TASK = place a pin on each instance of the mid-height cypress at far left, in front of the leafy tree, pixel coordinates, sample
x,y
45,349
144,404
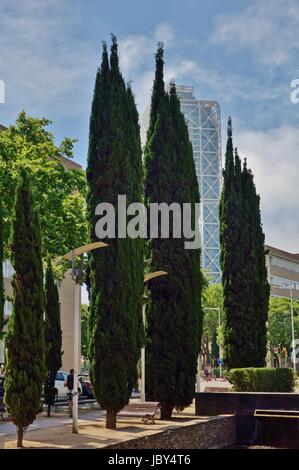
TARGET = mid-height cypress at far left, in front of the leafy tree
x,y
25,337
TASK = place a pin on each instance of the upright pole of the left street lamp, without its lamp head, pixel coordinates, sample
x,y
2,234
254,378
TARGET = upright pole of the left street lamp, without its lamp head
x,y
77,302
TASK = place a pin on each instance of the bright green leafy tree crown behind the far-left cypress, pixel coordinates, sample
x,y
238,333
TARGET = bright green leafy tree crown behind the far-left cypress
x,y
59,193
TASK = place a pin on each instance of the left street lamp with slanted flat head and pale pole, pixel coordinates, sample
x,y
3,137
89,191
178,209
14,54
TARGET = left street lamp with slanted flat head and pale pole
x,y
71,256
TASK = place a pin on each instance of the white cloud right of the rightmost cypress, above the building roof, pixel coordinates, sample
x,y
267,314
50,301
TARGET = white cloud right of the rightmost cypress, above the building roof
x,y
273,157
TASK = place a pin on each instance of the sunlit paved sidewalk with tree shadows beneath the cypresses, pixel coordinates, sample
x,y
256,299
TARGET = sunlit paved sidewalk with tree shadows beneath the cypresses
x,y
56,432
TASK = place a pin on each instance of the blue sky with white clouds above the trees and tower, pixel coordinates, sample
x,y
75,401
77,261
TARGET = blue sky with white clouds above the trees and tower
x,y
242,53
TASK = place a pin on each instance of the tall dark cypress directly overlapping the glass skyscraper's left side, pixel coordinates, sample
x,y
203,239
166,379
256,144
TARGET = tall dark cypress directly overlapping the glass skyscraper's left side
x,y
174,313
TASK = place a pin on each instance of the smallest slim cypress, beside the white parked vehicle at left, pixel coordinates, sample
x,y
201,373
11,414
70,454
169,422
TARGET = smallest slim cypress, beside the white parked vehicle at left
x,y
53,337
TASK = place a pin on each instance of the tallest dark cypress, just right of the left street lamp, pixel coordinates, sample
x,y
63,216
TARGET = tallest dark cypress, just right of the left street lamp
x,y
116,273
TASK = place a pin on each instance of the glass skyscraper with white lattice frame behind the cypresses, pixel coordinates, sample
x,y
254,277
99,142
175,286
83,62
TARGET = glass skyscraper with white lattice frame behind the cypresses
x,y
204,125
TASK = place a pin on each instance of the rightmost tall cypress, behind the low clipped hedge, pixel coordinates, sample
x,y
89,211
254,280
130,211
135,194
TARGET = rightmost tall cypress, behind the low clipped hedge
x,y
244,275
